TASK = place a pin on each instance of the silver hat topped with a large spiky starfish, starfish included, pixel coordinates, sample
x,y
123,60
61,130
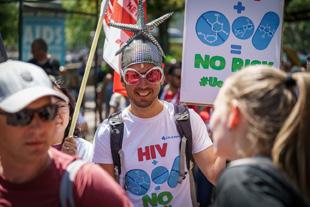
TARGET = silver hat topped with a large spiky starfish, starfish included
x,y
142,47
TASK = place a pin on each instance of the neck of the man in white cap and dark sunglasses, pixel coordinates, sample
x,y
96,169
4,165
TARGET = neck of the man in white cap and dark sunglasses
x,y
20,172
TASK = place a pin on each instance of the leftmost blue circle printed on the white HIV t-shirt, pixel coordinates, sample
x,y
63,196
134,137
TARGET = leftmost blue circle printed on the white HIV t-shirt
x,y
137,182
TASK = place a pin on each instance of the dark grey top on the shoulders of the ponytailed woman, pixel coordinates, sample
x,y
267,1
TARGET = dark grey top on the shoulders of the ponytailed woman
x,y
255,185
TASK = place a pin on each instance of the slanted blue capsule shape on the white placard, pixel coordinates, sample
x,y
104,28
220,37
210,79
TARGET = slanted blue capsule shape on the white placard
x,y
266,30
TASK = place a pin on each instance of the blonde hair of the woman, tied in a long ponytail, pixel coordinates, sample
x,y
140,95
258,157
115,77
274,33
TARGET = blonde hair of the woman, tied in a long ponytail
x,y
277,109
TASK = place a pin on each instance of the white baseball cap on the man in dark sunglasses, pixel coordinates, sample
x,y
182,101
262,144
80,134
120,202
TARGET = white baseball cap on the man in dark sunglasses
x,y
22,83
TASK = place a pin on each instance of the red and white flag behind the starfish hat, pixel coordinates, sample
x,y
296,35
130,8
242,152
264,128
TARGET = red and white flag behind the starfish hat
x,y
119,11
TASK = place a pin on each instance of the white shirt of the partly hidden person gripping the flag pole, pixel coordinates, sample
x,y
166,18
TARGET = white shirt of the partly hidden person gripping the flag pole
x,y
84,149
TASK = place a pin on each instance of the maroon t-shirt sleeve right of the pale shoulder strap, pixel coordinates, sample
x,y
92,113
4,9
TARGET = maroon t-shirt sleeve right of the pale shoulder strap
x,y
94,187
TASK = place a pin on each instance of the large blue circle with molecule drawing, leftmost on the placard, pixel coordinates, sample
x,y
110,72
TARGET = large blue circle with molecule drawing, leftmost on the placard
x,y
212,28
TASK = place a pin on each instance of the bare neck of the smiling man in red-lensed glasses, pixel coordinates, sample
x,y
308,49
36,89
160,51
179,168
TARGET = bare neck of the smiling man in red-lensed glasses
x,y
147,112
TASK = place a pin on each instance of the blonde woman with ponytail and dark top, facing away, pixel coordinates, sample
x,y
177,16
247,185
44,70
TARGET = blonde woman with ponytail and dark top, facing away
x,y
261,120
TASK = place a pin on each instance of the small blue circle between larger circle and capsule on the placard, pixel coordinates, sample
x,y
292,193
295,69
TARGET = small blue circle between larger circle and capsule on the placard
x,y
243,28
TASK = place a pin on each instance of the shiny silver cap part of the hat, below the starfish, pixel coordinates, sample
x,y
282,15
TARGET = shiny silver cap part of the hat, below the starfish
x,y
141,51
